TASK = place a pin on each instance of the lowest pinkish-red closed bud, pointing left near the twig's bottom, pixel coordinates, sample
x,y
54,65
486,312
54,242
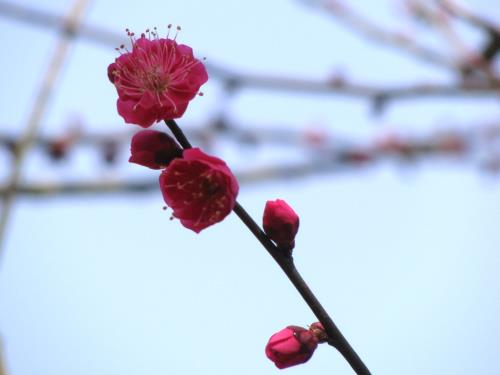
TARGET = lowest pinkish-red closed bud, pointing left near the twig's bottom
x,y
291,346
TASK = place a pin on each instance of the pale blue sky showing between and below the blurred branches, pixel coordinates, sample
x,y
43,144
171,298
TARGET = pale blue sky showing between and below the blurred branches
x,y
406,261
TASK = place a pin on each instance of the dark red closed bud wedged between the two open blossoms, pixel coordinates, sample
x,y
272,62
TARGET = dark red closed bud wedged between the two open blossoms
x,y
153,149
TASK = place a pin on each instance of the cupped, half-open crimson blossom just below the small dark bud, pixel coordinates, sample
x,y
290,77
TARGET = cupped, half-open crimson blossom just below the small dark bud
x,y
199,188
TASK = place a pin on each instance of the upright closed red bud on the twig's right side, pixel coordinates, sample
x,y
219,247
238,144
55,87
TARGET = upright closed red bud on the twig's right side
x,y
281,223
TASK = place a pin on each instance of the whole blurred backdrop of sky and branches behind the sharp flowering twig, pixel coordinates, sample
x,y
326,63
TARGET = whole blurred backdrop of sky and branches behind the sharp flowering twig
x,y
398,196
